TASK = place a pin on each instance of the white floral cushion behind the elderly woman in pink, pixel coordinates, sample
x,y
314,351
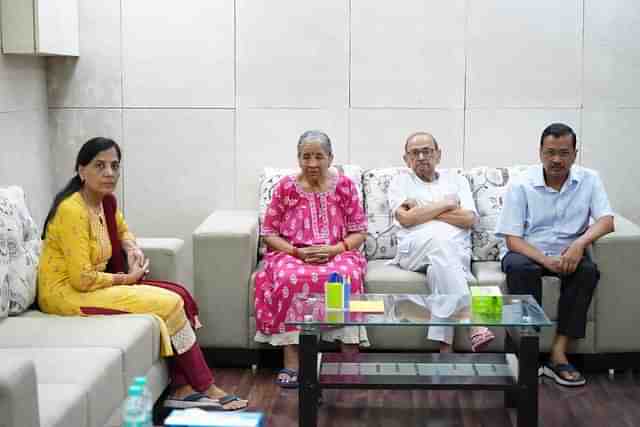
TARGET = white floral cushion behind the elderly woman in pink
x,y
271,176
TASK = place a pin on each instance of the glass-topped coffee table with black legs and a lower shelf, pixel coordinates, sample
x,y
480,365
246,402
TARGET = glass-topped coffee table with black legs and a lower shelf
x,y
515,372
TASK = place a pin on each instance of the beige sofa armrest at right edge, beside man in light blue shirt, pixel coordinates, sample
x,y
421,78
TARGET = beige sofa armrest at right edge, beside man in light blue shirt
x,y
618,293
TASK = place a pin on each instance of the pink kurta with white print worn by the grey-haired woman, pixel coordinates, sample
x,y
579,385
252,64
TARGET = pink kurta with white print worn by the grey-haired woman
x,y
305,219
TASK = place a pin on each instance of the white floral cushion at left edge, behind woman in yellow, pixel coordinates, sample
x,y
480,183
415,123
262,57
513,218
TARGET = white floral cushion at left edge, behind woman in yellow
x,y
19,253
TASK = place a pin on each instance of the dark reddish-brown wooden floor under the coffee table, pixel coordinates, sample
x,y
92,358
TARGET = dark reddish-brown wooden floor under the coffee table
x,y
604,401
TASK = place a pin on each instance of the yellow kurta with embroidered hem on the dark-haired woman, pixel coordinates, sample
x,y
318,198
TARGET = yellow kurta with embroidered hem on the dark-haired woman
x,y
72,275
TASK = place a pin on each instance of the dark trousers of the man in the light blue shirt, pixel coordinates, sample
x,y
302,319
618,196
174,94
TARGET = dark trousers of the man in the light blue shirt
x,y
524,276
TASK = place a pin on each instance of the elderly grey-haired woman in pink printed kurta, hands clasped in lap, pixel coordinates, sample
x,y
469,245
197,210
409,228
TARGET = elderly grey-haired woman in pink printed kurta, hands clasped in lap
x,y
313,226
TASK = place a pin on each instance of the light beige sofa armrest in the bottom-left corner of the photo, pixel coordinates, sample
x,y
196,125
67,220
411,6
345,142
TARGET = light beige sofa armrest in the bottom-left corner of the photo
x,y
18,393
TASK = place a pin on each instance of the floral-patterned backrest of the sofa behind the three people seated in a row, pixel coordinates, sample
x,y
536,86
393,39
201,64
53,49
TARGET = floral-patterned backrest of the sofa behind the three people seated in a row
x,y
487,184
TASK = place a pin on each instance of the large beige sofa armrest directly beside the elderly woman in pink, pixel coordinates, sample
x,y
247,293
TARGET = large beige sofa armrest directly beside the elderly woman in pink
x,y
225,248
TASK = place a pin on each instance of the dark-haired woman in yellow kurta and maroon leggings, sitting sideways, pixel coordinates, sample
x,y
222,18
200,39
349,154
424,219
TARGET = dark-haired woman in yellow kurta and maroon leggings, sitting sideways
x,y
74,279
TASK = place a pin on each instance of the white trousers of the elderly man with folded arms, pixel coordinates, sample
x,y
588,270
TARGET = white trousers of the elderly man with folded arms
x,y
447,267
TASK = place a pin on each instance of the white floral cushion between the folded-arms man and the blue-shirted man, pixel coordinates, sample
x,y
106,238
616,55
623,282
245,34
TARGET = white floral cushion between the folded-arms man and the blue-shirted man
x,y
488,186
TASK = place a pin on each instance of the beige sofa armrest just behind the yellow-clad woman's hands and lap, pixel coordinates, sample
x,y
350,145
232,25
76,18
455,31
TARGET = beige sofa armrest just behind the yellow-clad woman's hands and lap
x,y
163,257
